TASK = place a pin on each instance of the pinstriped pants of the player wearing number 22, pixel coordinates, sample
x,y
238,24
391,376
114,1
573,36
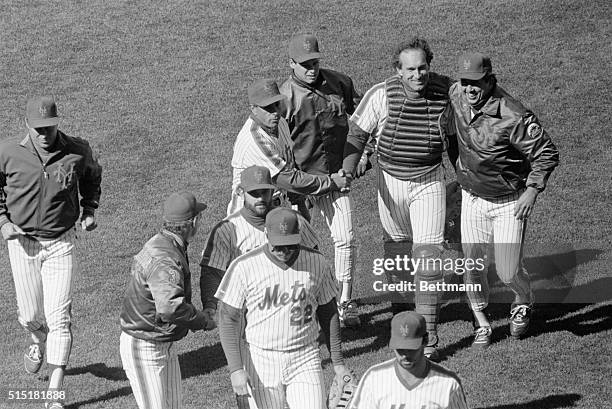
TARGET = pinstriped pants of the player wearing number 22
x,y
286,378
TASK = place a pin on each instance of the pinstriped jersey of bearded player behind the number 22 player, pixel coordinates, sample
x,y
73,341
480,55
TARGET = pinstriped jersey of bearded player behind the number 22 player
x,y
235,236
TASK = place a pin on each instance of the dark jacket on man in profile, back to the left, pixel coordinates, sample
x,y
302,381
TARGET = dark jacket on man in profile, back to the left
x,y
157,303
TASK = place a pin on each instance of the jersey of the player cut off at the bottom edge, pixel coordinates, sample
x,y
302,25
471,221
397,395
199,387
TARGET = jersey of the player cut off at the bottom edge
x,y
381,388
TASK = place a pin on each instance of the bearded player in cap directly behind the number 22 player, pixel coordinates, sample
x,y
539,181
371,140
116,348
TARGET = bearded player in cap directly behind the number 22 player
x,y
241,232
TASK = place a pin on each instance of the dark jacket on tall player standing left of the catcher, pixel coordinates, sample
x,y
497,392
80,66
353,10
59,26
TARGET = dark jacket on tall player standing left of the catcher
x,y
318,118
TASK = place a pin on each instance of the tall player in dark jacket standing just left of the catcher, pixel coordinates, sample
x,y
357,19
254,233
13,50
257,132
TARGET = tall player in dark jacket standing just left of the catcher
x,y
318,104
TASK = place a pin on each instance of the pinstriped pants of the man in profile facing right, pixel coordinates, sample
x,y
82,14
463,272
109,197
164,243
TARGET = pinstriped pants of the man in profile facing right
x,y
153,370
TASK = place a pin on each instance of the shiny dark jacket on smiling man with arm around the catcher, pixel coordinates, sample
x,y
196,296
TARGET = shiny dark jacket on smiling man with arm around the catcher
x,y
503,148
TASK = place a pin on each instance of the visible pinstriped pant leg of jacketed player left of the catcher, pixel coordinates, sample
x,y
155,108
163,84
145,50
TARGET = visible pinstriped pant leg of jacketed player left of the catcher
x,y
337,209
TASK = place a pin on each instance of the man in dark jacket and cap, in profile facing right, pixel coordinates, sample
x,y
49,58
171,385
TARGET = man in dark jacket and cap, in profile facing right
x,y
157,309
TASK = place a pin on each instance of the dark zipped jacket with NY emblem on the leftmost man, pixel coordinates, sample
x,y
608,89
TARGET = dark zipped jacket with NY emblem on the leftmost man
x,y
43,198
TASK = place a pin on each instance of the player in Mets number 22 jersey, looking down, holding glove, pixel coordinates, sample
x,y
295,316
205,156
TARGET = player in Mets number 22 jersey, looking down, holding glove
x,y
287,289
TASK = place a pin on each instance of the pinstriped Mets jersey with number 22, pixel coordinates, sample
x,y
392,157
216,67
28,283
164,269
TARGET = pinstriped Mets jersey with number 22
x,y
281,300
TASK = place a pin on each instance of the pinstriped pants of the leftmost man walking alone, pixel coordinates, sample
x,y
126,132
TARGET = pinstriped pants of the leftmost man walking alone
x,y
43,270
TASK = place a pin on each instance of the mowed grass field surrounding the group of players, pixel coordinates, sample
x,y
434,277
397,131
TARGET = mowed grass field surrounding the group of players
x,y
159,88
